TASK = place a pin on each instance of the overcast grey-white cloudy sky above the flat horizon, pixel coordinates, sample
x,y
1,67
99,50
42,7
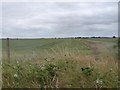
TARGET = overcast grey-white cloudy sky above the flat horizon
x,y
65,19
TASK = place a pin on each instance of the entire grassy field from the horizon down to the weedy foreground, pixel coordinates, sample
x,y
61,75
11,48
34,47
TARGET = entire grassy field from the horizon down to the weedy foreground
x,y
61,63
